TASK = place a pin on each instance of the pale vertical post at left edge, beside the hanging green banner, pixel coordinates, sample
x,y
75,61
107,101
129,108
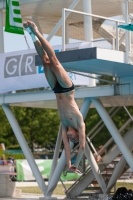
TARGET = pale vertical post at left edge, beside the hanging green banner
x,y
1,33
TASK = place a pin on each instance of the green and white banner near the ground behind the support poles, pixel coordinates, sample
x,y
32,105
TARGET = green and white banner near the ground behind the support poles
x,y
24,172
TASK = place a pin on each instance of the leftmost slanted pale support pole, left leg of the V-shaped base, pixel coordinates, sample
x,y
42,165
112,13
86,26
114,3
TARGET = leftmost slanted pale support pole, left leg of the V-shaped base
x,y
19,135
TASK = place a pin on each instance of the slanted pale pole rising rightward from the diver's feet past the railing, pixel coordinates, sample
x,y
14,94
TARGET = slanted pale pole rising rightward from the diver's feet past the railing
x,y
58,25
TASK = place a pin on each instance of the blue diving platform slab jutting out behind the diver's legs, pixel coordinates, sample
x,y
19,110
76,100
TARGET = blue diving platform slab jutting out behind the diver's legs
x,y
94,60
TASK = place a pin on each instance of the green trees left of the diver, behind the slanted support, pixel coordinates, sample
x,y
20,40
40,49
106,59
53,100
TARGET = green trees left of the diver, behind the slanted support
x,y
39,126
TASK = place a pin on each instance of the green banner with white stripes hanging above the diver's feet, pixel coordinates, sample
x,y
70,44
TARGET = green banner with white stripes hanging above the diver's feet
x,y
13,17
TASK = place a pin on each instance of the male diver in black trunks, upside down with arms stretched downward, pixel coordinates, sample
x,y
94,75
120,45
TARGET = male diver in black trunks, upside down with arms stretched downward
x,y
73,127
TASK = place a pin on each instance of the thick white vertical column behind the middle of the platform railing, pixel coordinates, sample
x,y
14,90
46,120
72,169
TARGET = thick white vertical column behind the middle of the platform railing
x,y
88,29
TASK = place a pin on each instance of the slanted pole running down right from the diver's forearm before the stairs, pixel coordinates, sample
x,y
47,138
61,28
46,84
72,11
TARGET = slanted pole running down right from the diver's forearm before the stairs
x,y
95,168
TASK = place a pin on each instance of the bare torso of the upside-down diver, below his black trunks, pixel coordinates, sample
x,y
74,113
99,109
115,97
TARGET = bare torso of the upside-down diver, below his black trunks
x,y
68,110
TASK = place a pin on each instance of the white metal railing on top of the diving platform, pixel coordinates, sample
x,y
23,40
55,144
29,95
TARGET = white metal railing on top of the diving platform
x,y
117,22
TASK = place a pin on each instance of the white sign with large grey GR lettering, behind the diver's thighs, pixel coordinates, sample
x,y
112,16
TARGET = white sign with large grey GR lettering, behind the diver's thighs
x,y
18,72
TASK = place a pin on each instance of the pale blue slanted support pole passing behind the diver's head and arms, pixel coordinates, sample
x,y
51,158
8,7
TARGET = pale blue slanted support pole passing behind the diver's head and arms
x,y
62,162
